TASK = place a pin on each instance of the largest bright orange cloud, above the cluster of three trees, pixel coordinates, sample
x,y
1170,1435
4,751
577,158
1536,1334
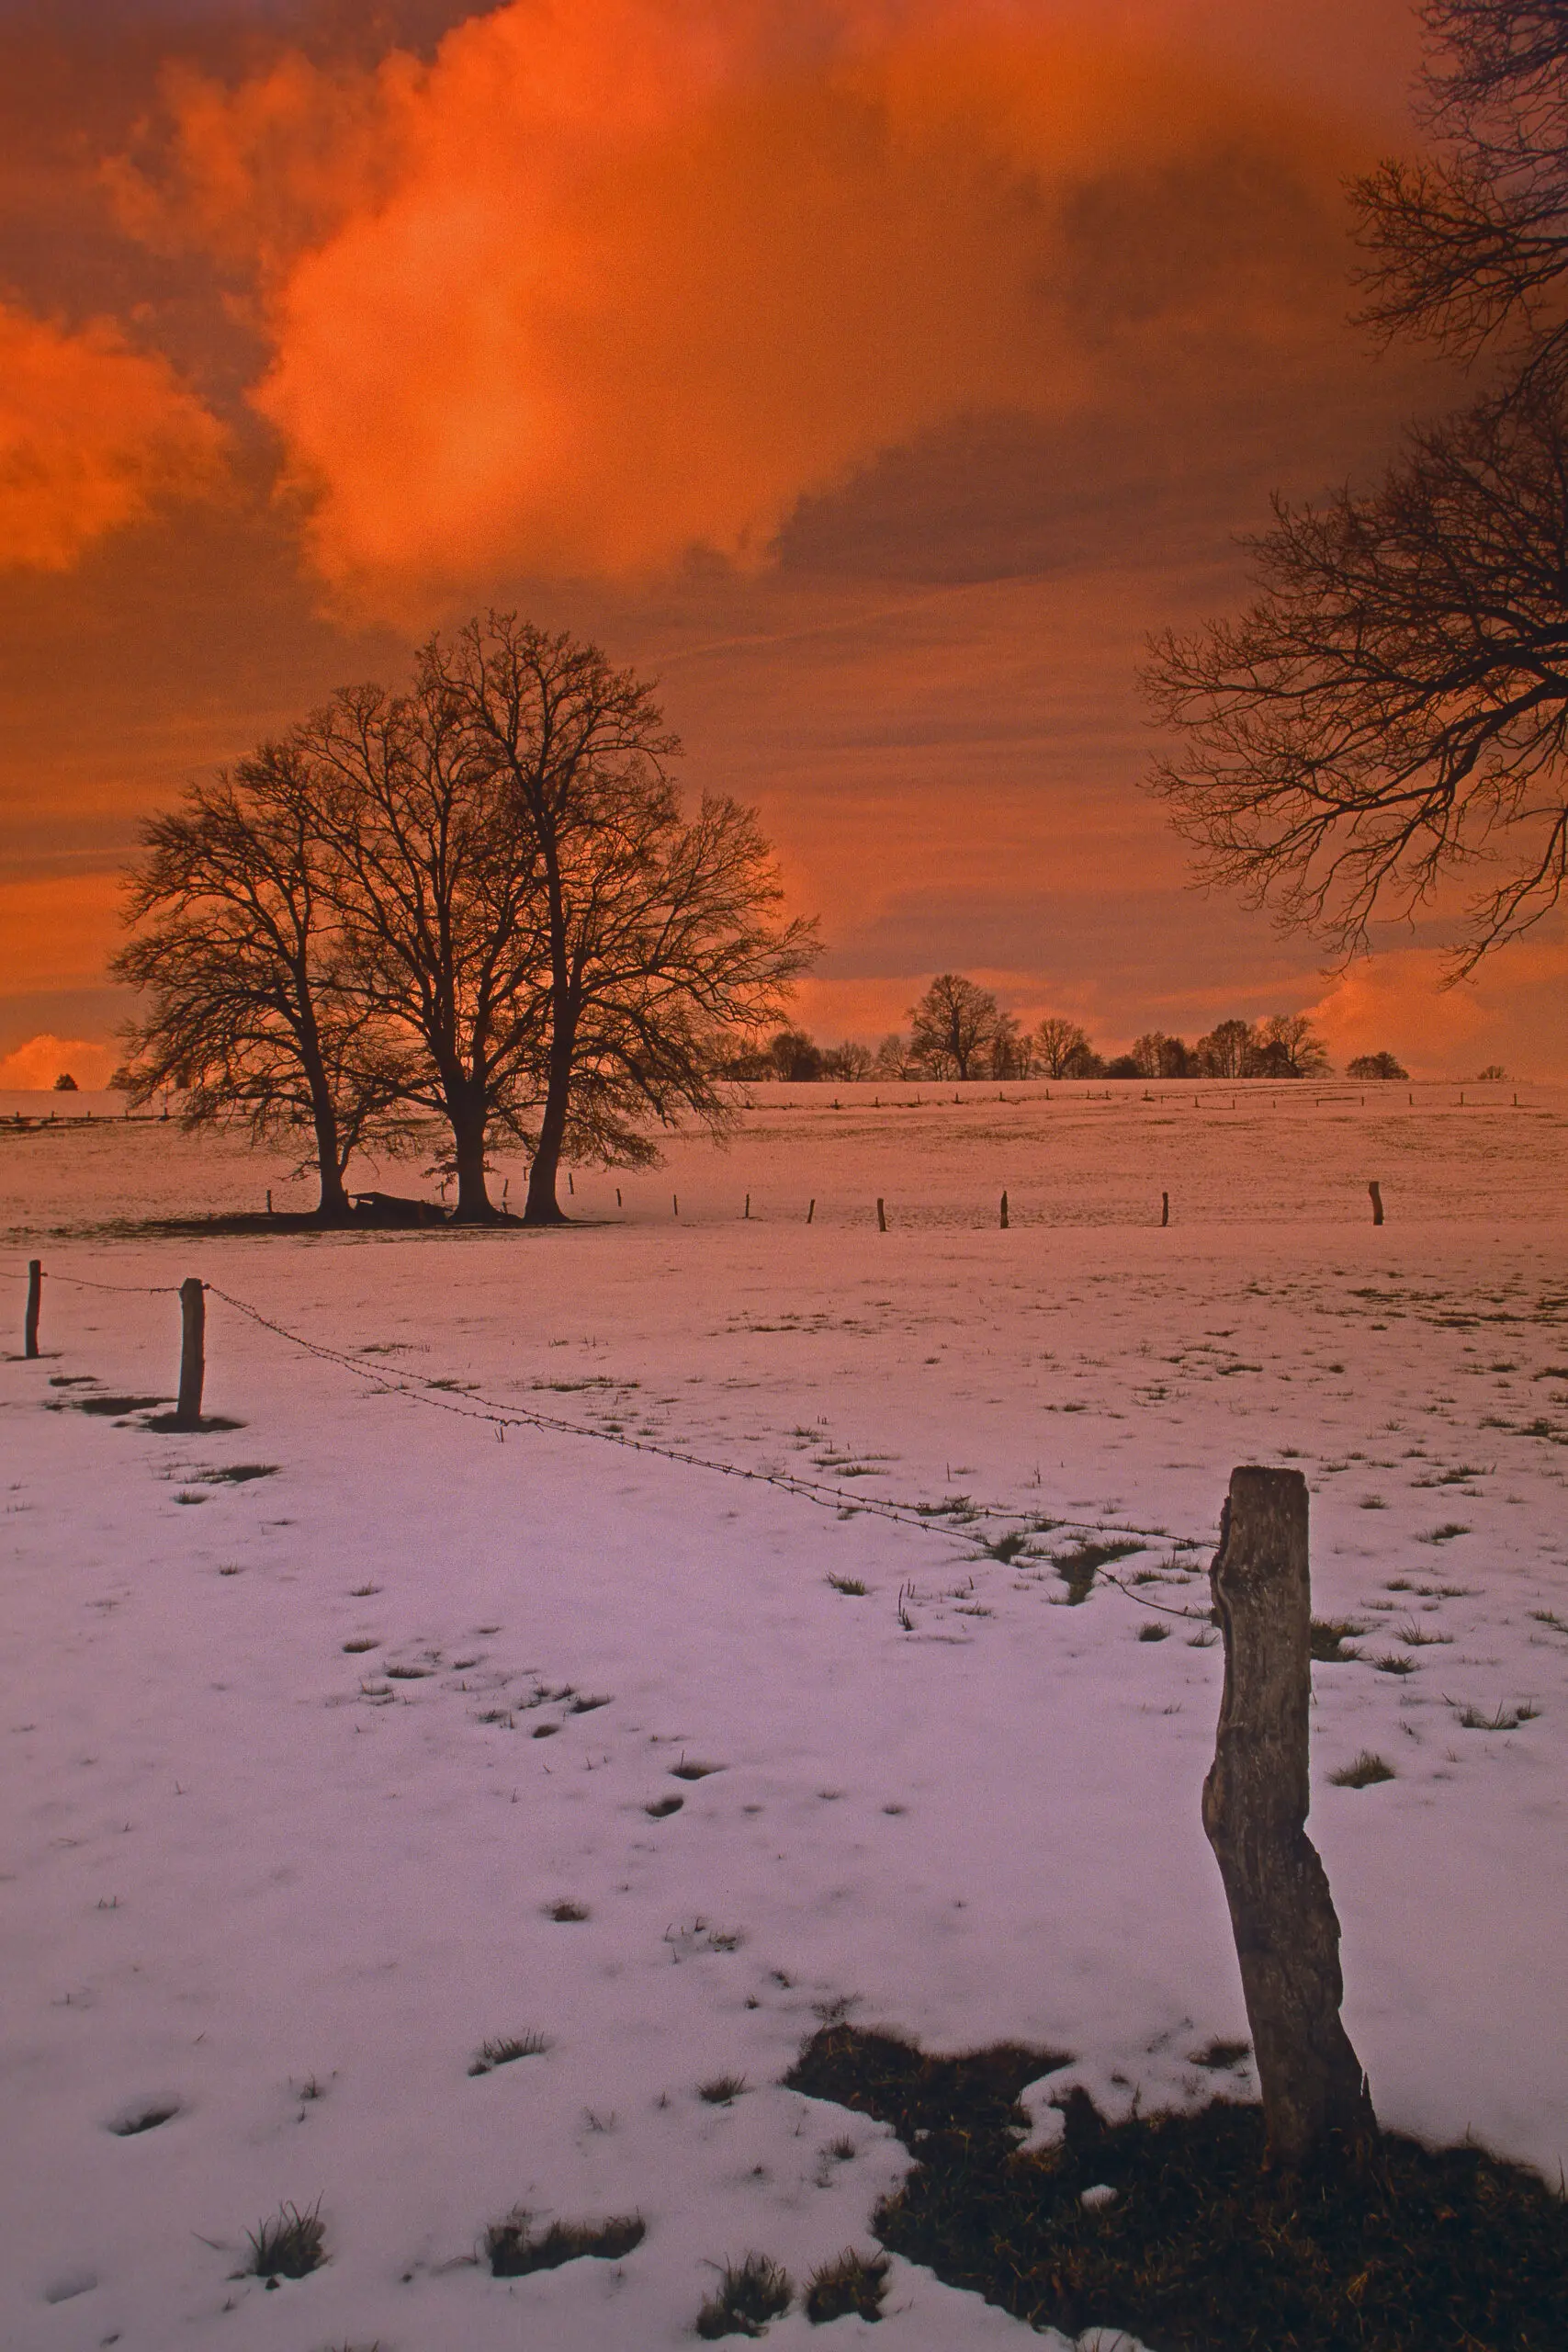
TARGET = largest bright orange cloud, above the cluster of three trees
x,y
624,279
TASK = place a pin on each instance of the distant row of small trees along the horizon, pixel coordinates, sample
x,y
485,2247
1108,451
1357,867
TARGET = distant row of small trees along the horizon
x,y
960,1031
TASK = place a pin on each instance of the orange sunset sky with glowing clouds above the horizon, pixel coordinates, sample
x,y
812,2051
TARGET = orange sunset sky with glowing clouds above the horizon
x,y
873,373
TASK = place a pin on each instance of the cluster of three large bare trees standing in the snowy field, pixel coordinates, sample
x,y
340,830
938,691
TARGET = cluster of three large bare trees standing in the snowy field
x,y
457,914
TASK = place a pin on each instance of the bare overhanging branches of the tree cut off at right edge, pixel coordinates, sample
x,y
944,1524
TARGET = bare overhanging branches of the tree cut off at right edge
x,y
1391,711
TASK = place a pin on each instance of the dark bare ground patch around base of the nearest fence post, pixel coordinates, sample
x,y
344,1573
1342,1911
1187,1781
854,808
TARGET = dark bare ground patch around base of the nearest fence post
x,y
1200,2250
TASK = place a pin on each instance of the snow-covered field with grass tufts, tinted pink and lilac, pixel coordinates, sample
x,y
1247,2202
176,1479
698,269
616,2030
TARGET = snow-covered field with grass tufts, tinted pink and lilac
x,y
323,1777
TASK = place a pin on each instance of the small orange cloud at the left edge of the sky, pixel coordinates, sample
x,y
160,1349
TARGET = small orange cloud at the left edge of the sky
x,y
93,436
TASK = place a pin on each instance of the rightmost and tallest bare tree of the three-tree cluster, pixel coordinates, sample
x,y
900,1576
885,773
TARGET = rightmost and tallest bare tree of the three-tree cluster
x,y
655,933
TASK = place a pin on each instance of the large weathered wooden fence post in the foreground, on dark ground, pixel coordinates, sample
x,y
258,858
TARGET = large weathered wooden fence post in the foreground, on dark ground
x,y
1315,2099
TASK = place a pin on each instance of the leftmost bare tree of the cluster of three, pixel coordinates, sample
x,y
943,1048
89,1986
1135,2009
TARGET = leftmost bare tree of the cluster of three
x,y
246,965
